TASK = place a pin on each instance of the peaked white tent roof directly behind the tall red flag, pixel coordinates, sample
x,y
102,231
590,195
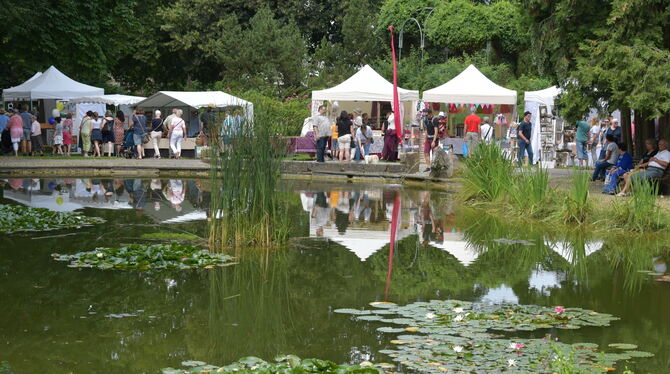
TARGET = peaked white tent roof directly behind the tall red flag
x,y
365,85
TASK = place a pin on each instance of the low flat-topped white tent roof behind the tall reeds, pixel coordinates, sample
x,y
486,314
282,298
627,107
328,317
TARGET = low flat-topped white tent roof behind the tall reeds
x,y
196,100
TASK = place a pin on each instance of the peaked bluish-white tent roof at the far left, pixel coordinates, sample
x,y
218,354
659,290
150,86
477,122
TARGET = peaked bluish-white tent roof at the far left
x,y
52,84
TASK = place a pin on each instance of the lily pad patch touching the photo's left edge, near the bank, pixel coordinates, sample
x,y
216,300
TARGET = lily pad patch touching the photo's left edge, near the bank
x,y
18,218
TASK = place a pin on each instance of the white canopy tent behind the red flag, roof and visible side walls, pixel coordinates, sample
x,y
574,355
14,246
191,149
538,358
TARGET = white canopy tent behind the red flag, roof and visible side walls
x,y
366,86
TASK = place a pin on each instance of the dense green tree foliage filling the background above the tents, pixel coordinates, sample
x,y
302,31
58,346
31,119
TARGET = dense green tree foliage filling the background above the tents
x,y
608,53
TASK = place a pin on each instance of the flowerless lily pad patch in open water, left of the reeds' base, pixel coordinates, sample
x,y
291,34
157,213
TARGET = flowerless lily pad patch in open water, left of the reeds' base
x,y
145,257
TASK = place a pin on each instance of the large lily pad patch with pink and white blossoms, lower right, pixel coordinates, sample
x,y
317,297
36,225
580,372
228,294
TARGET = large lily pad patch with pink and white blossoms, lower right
x,y
464,336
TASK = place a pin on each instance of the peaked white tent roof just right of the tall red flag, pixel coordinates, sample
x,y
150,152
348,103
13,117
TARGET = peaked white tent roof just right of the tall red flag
x,y
470,86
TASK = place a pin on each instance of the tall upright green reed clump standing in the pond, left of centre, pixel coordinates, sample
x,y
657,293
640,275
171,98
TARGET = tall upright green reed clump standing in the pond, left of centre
x,y
247,210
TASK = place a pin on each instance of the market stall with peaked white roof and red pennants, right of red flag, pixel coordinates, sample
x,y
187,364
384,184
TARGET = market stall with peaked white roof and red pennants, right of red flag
x,y
472,88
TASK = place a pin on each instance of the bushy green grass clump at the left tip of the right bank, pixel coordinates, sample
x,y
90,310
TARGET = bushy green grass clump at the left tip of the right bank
x,y
487,175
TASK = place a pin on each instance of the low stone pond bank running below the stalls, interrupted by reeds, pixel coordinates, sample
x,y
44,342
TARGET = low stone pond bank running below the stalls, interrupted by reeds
x,y
118,167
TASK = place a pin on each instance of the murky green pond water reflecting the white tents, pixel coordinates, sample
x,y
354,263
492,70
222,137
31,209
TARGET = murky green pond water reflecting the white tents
x,y
62,320
